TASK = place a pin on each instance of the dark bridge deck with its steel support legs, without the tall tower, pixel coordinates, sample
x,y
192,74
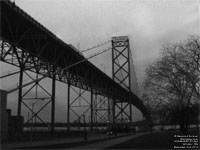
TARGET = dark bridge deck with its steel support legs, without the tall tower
x,y
27,44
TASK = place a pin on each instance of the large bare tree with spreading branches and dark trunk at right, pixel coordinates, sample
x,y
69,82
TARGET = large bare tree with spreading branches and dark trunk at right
x,y
175,77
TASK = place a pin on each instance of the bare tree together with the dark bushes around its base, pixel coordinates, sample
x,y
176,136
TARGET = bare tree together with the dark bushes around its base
x,y
172,84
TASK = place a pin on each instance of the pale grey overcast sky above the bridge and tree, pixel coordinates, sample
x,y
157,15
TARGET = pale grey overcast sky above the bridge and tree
x,y
148,23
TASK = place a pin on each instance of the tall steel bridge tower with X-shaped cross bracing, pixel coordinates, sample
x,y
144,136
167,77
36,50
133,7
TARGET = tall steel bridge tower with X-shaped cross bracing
x,y
121,73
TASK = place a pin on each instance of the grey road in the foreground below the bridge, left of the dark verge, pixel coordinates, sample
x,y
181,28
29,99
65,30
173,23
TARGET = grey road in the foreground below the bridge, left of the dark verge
x,y
97,141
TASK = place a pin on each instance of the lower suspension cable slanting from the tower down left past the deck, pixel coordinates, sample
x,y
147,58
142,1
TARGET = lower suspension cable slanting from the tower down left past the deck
x,y
65,68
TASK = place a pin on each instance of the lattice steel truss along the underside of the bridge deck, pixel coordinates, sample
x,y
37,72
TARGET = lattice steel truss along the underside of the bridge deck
x,y
16,56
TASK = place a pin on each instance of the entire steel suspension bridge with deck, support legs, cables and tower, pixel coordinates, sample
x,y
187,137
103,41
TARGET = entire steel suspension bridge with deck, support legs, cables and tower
x,y
39,54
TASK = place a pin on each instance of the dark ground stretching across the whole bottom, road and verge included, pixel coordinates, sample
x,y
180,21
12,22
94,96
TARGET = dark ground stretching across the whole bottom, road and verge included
x,y
140,140
